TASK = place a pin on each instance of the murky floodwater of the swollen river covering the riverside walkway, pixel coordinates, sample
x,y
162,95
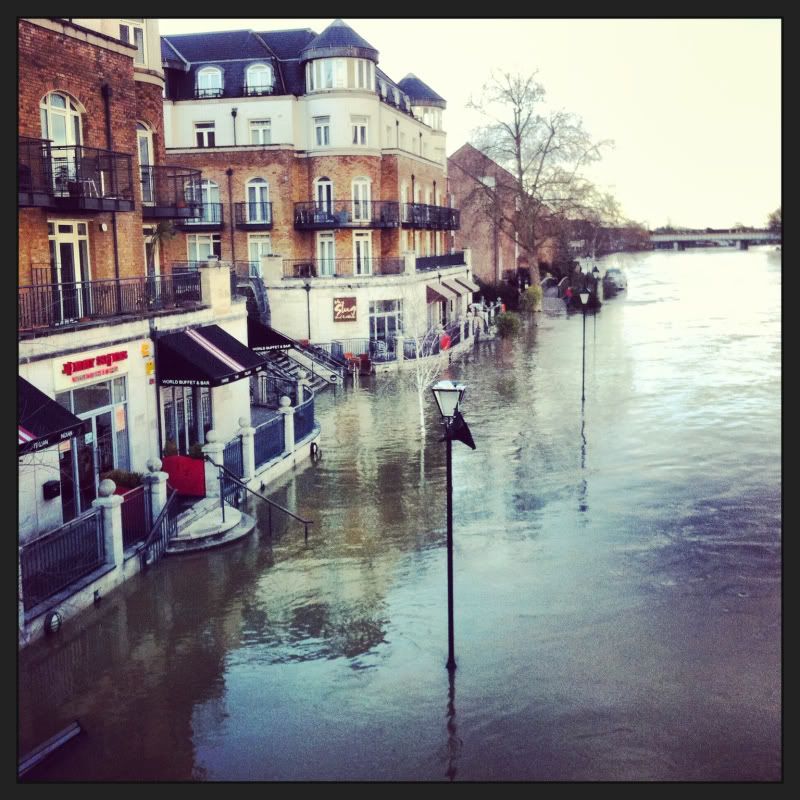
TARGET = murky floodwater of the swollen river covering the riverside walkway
x,y
617,574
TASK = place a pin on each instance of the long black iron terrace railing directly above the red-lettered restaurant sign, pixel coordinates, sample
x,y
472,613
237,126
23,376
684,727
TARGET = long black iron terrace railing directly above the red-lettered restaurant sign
x,y
50,305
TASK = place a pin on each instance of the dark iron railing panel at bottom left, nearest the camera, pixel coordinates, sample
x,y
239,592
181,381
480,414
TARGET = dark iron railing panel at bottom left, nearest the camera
x,y
58,559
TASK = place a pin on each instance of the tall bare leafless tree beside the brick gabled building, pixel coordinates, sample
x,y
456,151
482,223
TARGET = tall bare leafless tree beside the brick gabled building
x,y
544,151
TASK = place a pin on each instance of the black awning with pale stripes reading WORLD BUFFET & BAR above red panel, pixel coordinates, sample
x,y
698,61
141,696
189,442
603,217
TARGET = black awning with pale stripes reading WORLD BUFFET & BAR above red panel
x,y
206,356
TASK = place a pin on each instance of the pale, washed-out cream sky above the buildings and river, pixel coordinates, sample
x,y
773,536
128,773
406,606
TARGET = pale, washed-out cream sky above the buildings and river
x,y
693,106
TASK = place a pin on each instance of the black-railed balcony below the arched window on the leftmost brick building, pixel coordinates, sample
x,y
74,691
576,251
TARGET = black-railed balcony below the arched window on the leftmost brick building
x,y
74,177
